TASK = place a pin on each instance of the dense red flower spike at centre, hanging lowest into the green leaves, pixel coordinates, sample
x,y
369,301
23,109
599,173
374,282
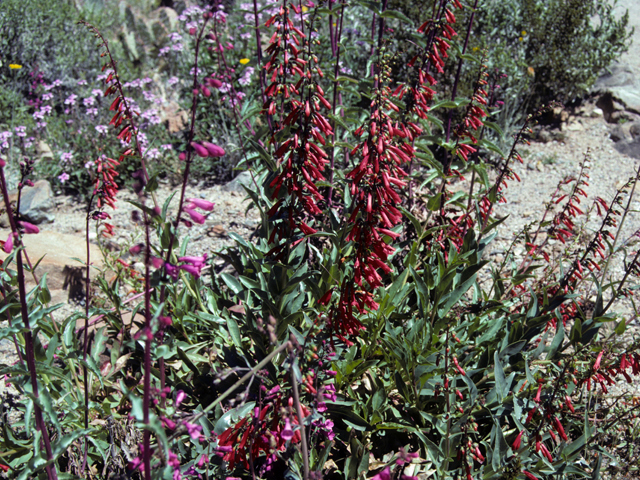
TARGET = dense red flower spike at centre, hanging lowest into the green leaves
x,y
374,186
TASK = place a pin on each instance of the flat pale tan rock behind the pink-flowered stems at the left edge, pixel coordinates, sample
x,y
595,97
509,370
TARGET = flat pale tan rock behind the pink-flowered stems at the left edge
x,y
57,251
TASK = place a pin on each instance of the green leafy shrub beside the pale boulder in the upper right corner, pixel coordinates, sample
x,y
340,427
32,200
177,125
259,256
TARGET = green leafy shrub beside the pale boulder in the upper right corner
x,y
548,50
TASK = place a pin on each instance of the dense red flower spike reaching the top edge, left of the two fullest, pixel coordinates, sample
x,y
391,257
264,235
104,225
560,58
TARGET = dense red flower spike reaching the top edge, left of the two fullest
x,y
300,157
